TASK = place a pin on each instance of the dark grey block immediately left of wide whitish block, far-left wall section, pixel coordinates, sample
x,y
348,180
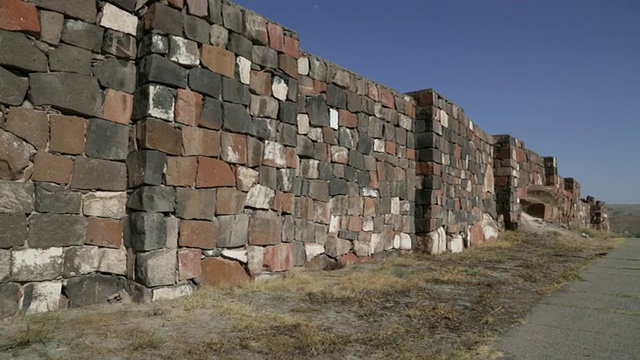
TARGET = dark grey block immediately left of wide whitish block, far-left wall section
x,y
52,198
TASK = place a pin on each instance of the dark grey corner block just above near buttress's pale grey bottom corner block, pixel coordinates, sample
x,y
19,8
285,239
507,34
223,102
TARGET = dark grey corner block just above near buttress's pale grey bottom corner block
x,y
147,231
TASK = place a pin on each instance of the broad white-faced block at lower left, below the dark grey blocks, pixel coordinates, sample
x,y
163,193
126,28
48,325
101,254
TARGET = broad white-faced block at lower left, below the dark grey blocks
x,y
36,264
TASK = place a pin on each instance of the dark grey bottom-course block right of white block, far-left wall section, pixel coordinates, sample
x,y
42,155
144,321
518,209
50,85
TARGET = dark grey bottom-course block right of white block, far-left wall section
x,y
92,289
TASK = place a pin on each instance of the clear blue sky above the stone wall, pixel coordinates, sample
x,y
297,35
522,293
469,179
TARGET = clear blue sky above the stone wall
x,y
562,75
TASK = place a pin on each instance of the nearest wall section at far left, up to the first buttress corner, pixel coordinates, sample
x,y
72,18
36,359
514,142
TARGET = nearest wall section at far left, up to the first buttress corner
x,y
67,77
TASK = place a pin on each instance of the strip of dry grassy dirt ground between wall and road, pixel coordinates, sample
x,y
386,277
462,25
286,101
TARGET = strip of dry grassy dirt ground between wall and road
x,y
412,306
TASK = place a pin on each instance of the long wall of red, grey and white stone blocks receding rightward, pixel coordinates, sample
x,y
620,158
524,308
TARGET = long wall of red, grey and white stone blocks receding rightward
x,y
148,147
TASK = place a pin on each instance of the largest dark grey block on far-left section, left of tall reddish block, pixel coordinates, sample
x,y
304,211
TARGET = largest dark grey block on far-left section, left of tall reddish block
x,y
75,93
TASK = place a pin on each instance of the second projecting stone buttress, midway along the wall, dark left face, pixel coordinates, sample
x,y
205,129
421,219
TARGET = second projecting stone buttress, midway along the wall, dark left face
x,y
455,187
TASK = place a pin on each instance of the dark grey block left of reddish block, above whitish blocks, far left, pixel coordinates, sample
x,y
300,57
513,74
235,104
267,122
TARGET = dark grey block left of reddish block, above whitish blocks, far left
x,y
56,230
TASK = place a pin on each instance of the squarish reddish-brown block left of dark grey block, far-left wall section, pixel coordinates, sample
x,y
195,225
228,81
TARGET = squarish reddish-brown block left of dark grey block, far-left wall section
x,y
67,134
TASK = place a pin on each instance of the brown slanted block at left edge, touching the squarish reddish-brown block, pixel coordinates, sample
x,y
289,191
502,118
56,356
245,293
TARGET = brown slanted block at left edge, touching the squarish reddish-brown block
x,y
31,125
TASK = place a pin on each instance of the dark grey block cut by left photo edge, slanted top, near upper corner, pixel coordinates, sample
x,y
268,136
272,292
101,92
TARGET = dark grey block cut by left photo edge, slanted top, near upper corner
x,y
20,52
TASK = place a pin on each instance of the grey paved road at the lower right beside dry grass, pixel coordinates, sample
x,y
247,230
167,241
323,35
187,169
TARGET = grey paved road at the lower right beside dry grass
x,y
596,318
